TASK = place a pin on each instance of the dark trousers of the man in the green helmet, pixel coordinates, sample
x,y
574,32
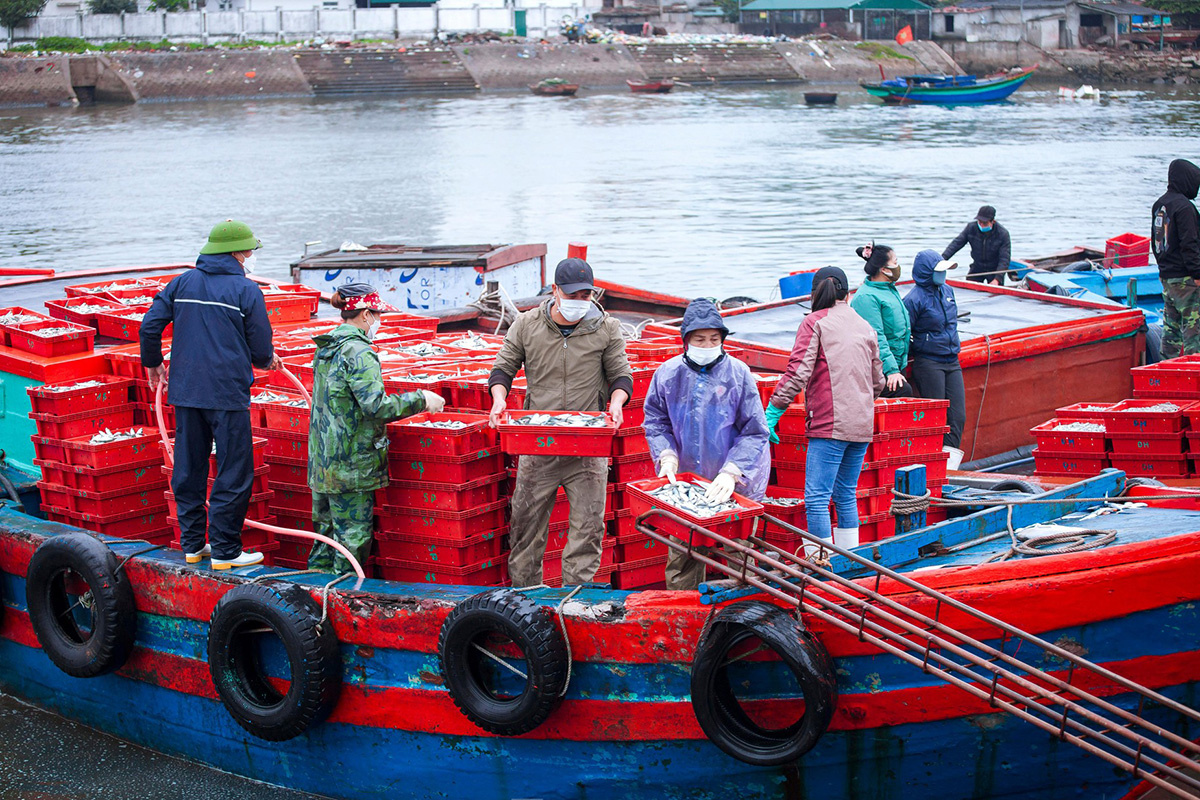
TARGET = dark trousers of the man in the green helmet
x,y
196,430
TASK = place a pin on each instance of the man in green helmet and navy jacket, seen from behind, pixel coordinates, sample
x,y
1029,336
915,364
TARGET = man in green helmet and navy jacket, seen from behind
x,y
220,333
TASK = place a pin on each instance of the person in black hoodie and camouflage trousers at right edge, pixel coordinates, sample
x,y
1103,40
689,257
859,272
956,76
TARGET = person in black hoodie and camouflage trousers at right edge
x,y
1175,239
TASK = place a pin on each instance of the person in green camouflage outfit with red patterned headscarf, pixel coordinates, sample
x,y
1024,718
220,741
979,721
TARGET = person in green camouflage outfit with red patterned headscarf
x,y
347,434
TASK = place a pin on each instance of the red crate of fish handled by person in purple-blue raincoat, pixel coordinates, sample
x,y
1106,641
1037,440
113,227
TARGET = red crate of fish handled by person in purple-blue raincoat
x,y
734,519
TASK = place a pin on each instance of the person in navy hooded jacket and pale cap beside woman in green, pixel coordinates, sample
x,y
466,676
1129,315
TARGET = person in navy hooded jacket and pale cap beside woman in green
x,y
934,314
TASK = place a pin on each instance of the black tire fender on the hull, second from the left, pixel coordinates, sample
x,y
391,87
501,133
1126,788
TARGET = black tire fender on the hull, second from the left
x,y
239,677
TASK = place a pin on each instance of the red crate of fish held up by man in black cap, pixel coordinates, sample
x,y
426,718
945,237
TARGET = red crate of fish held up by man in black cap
x,y
557,434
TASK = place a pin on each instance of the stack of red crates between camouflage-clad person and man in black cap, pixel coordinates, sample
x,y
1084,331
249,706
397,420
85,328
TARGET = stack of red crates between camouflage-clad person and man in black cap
x,y
442,518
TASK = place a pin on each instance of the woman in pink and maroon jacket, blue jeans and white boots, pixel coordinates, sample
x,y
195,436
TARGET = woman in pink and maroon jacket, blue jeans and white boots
x,y
836,363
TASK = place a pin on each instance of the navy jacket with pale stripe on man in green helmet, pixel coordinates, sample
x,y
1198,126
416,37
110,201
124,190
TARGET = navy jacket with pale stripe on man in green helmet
x,y
221,329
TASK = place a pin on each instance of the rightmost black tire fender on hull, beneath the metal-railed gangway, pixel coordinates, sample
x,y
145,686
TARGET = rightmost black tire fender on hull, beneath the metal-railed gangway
x,y
724,721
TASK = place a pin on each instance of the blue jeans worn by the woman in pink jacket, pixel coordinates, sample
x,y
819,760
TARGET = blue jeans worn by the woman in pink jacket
x,y
831,471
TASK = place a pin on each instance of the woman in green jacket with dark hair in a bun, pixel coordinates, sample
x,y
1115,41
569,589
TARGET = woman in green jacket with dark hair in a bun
x,y
879,303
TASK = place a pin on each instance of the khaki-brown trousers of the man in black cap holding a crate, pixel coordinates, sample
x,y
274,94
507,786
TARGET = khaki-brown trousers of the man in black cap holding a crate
x,y
585,480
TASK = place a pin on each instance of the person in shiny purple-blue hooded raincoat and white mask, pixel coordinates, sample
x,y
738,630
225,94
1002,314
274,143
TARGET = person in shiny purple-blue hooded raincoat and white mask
x,y
705,417
